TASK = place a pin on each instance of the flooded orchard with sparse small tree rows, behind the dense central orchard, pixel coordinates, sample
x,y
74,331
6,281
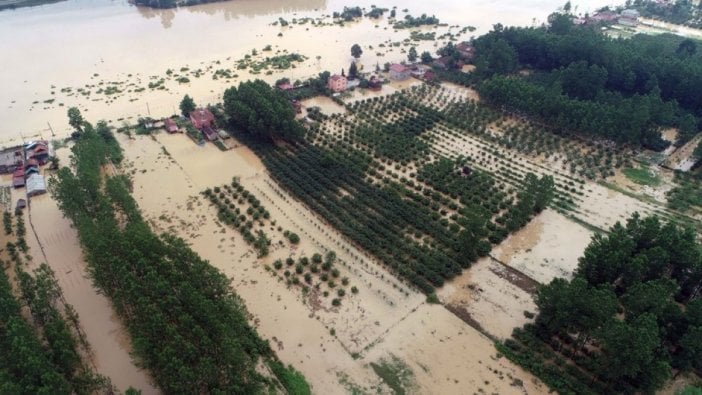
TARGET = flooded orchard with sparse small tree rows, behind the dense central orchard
x,y
509,148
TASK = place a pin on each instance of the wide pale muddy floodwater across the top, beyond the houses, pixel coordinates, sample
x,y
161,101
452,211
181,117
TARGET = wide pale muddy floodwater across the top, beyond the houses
x,y
74,52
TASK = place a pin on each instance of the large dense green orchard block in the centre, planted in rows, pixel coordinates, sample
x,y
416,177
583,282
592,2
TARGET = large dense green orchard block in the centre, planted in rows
x,y
371,175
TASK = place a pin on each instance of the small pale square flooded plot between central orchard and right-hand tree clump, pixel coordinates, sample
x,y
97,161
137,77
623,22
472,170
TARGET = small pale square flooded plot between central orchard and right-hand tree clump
x,y
548,247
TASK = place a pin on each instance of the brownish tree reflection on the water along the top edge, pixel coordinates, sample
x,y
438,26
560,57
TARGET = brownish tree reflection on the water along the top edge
x,y
232,10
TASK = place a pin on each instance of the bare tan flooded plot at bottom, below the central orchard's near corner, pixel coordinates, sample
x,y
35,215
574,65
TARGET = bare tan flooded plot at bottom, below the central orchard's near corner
x,y
449,357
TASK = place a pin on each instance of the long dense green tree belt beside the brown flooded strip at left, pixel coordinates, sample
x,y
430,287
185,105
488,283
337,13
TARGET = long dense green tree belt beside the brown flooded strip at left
x,y
187,325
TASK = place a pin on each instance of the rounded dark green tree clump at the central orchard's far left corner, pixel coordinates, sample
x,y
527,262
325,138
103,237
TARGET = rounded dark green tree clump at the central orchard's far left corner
x,y
262,111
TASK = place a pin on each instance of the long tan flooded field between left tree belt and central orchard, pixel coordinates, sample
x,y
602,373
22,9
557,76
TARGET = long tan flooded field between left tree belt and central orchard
x,y
377,324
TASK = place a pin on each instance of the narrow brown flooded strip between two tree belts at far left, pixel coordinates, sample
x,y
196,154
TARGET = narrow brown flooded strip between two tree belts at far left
x,y
56,243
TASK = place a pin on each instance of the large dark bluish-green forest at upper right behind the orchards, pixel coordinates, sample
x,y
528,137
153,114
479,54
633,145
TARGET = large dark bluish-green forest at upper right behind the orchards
x,y
587,82
